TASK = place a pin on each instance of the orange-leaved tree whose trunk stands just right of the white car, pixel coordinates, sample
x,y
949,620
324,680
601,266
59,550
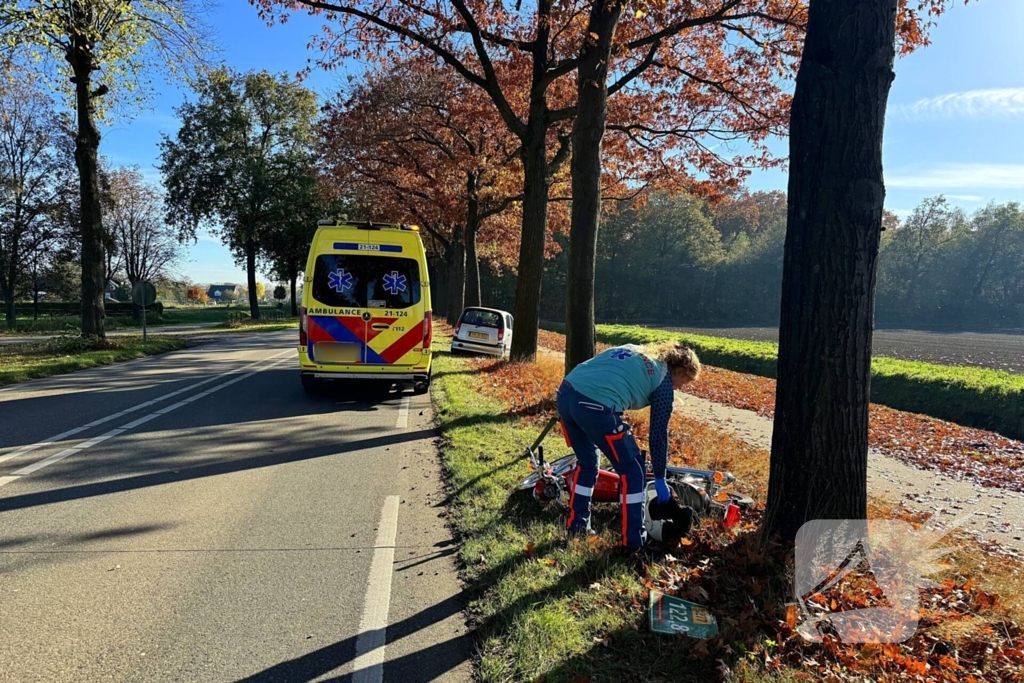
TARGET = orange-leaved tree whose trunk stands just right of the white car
x,y
530,98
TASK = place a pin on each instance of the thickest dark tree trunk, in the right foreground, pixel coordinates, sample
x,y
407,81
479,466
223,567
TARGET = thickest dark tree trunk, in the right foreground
x,y
820,445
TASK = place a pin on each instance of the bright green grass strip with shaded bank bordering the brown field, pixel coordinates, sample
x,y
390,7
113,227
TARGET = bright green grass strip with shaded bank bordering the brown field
x,y
973,397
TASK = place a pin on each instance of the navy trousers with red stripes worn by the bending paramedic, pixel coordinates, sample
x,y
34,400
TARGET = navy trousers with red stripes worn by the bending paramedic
x,y
591,430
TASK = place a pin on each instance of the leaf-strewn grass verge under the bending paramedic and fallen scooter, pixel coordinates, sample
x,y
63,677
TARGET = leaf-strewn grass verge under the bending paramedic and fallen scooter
x,y
556,611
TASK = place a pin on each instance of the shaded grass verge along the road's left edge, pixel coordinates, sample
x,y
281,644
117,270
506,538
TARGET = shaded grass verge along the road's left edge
x,y
20,363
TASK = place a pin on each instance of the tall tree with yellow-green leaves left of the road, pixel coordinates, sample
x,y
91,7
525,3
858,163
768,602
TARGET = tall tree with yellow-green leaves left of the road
x,y
103,53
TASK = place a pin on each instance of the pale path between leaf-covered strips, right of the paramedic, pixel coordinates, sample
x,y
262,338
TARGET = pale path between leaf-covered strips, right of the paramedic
x,y
996,515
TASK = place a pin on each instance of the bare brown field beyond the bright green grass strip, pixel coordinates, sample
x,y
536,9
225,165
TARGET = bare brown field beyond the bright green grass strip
x,y
998,352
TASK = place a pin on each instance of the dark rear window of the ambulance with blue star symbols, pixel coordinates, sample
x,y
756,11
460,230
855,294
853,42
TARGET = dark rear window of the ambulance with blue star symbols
x,y
366,282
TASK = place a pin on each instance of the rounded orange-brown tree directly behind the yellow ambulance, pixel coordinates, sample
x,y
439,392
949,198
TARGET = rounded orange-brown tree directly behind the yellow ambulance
x,y
419,144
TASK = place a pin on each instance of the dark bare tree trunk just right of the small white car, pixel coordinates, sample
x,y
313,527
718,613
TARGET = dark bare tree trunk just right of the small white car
x,y
535,221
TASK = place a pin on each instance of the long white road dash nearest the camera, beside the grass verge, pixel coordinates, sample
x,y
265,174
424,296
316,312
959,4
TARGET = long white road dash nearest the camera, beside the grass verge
x,y
369,665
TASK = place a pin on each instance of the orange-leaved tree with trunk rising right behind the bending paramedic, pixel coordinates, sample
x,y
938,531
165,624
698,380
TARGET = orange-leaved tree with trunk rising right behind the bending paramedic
x,y
706,72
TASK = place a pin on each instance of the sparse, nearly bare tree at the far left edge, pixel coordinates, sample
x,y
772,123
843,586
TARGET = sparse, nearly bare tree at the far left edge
x,y
35,165
